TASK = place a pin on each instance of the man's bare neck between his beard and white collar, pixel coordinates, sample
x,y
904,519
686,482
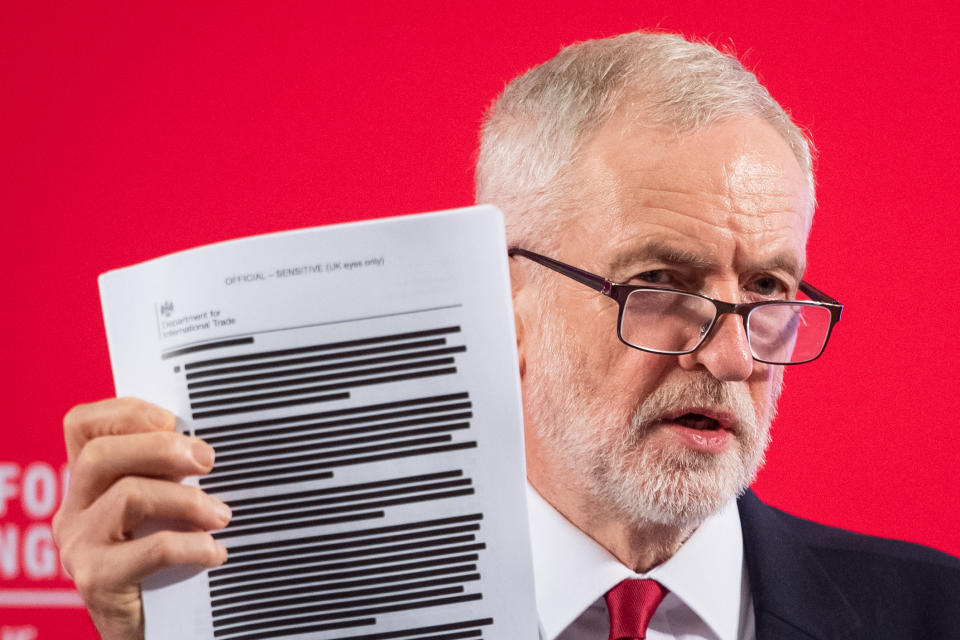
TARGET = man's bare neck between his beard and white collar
x,y
641,546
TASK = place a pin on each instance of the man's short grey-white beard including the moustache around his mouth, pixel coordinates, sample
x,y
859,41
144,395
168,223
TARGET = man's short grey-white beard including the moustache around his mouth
x,y
618,473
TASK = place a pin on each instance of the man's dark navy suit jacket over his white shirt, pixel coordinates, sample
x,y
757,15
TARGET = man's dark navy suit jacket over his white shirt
x,y
810,581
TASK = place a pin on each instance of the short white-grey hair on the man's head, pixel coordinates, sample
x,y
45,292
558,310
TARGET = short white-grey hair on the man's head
x,y
534,131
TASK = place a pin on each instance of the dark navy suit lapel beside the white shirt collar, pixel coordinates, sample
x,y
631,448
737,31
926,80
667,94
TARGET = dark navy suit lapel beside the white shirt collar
x,y
793,596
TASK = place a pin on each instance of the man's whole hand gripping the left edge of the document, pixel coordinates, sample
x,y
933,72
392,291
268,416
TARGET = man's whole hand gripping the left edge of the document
x,y
125,462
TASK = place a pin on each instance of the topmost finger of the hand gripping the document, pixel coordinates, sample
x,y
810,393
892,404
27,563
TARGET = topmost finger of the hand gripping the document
x,y
114,416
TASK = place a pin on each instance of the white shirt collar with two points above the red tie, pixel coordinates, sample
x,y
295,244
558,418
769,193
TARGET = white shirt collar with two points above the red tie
x,y
571,570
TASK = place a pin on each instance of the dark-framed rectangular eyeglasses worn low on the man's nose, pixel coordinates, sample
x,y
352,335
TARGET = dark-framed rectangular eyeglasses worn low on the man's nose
x,y
673,322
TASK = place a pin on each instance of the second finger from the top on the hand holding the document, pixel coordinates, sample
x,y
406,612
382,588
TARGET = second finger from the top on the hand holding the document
x,y
160,454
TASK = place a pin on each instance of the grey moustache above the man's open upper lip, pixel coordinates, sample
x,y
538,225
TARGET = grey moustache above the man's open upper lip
x,y
704,392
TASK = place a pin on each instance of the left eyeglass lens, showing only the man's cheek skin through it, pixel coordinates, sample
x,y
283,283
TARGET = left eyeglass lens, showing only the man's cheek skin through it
x,y
666,321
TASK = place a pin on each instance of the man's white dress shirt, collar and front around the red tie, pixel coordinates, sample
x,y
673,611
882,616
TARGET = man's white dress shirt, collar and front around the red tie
x,y
709,594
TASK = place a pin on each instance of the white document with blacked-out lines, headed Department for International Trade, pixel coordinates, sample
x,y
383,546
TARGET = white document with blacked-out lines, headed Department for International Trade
x,y
359,384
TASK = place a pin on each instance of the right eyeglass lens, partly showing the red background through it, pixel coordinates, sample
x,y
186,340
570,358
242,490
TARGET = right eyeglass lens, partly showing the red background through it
x,y
787,333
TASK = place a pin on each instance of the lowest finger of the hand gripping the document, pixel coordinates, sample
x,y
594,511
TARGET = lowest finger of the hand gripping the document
x,y
119,567
